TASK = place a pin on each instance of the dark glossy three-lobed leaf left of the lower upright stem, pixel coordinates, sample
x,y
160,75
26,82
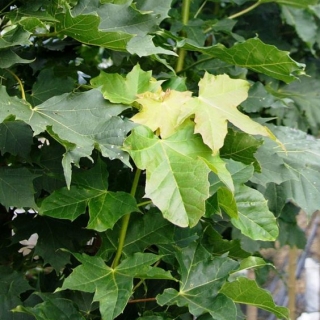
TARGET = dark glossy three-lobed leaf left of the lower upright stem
x,y
90,190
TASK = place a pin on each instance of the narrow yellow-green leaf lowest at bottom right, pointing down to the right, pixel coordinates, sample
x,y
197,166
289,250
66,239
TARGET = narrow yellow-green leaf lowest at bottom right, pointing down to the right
x,y
246,291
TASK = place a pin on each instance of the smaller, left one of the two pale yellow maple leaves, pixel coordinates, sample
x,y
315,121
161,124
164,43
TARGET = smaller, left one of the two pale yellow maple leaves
x,y
162,110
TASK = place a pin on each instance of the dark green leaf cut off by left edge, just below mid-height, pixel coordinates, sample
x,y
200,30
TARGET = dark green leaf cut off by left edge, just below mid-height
x,y
16,187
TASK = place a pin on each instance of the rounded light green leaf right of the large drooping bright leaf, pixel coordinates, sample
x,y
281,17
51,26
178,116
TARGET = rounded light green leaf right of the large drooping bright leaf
x,y
255,220
